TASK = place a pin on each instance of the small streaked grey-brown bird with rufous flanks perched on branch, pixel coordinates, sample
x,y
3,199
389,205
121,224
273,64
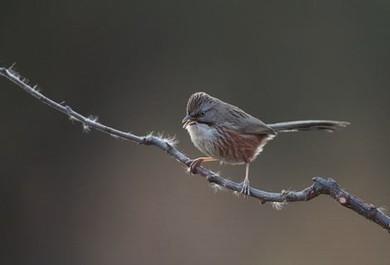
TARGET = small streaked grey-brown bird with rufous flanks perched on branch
x,y
225,132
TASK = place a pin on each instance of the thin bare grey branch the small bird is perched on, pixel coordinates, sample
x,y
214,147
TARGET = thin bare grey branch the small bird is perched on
x,y
320,185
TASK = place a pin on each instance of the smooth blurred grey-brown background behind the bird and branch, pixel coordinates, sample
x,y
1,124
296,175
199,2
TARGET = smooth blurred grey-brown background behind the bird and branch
x,y
68,197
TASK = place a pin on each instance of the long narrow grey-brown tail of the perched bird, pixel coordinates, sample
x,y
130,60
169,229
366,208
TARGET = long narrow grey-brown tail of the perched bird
x,y
310,125
